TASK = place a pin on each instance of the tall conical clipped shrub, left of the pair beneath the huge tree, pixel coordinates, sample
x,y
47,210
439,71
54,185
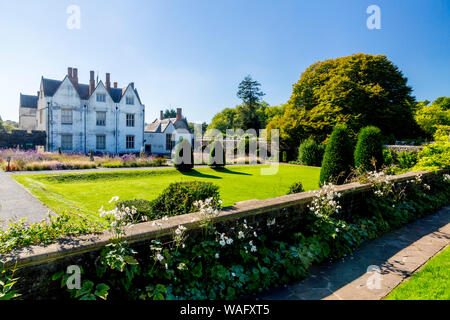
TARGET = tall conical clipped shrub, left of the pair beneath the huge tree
x,y
338,157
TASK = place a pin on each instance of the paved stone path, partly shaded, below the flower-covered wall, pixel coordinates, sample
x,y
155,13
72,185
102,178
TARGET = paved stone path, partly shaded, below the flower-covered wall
x,y
396,255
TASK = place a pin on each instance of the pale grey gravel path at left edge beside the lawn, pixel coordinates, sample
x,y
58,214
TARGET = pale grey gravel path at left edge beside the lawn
x,y
17,203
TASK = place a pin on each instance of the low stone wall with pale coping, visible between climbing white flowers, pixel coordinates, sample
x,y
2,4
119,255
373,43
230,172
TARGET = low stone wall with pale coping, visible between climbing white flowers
x,y
275,217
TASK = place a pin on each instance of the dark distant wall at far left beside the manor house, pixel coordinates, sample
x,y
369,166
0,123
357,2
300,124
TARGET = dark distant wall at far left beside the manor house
x,y
22,139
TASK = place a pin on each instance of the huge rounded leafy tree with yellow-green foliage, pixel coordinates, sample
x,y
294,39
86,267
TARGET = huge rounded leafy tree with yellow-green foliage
x,y
358,90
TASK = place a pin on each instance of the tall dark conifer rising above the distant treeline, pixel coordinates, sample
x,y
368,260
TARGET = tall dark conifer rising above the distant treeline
x,y
250,93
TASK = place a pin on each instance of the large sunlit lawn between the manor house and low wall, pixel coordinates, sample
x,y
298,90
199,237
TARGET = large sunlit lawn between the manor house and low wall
x,y
87,192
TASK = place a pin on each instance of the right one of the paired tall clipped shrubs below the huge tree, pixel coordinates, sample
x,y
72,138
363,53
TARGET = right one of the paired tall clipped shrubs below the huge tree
x,y
369,149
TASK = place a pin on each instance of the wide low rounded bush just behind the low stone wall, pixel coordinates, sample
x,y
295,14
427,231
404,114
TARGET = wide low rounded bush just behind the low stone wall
x,y
179,197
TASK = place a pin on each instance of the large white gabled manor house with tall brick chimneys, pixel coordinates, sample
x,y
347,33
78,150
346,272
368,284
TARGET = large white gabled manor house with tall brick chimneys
x,y
80,118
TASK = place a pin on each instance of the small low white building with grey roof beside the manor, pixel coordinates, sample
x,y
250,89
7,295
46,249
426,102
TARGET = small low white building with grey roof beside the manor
x,y
162,134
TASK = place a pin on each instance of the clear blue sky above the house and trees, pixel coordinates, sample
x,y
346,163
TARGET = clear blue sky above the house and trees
x,y
194,53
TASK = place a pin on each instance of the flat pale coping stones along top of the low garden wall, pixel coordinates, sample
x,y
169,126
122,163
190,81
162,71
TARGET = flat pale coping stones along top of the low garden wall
x,y
39,254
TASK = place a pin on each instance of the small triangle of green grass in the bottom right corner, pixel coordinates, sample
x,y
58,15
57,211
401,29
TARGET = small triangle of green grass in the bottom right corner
x,y
432,282
